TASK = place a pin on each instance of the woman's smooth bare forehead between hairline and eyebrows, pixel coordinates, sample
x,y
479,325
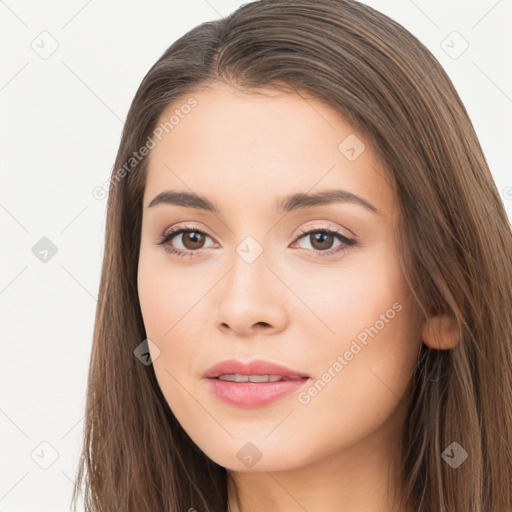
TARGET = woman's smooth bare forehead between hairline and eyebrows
x,y
260,144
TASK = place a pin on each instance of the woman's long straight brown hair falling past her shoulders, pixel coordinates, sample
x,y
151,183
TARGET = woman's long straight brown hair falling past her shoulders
x,y
454,240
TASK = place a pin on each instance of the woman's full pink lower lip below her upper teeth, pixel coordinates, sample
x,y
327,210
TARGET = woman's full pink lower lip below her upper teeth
x,y
252,394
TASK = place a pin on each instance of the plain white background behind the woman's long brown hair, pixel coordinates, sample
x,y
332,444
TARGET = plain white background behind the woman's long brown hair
x,y
61,124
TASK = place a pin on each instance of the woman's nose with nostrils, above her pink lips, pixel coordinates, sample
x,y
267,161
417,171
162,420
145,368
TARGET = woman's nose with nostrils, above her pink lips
x,y
251,299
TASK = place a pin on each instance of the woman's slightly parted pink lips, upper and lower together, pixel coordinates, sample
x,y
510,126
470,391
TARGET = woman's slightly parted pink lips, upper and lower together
x,y
253,394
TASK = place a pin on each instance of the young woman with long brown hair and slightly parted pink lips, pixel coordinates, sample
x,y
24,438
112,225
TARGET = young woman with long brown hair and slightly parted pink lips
x,y
306,293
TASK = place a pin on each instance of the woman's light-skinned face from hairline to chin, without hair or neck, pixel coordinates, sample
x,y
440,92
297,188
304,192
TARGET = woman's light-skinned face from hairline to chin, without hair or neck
x,y
315,286
